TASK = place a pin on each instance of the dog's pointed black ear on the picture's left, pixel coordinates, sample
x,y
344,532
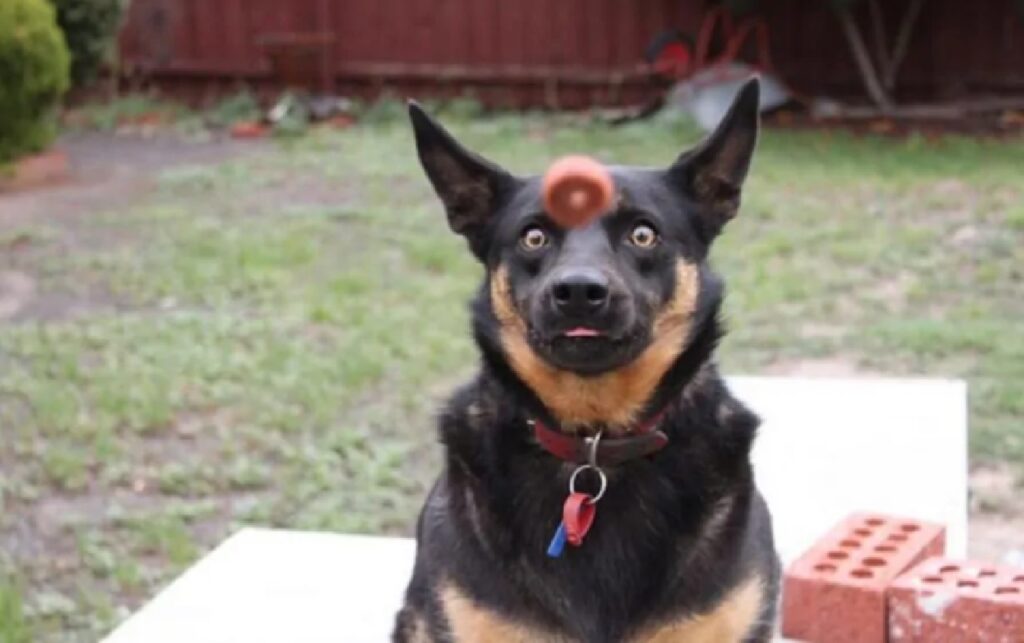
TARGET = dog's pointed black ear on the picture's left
x,y
468,185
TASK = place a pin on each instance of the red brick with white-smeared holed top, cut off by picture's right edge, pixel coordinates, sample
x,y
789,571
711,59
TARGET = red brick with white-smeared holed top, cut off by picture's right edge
x,y
957,603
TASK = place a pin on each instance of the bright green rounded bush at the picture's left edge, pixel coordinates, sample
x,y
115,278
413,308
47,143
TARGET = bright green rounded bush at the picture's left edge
x,y
34,65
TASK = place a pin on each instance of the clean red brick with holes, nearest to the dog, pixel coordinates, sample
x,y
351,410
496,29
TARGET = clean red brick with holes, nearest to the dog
x,y
836,592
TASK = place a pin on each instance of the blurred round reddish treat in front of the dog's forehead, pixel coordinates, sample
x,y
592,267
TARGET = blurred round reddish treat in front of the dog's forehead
x,y
577,190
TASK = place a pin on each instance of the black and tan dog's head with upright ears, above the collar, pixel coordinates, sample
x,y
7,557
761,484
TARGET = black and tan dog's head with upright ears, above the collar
x,y
591,319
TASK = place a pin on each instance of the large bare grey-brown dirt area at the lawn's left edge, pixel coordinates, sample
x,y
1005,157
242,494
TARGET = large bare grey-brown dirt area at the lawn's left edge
x,y
108,173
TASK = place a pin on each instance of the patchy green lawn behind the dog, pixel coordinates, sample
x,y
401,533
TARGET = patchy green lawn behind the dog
x,y
265,340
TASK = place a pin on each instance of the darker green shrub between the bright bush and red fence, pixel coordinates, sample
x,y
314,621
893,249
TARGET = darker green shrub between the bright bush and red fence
x,y
91,28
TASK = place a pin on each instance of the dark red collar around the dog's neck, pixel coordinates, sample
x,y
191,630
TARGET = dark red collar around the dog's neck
x,y
609,452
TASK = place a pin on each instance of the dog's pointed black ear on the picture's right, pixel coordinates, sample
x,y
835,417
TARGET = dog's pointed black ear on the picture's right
x,y
714,172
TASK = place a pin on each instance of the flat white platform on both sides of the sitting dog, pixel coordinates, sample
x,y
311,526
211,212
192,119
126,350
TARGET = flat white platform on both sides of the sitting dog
x,y
827,448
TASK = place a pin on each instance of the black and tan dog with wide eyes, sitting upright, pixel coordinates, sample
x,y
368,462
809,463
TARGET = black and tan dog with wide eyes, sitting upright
x,y
598,347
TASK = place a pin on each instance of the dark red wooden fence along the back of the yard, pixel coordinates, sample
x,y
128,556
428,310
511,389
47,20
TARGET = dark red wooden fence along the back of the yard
x,y
566,54
